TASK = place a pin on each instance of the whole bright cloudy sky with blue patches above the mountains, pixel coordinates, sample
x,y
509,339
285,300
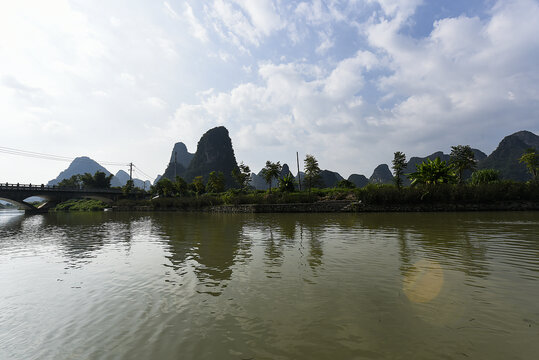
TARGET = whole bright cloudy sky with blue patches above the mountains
x,y
348,81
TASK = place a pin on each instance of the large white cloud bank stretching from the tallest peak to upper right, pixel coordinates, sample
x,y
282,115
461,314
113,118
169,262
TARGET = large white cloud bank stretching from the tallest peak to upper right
x,y
436,91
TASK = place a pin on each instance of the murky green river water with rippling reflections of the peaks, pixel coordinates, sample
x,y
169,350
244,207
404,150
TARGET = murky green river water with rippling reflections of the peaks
x,y
269,286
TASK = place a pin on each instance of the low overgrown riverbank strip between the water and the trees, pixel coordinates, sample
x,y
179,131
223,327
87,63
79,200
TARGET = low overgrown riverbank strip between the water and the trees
x,y
503,196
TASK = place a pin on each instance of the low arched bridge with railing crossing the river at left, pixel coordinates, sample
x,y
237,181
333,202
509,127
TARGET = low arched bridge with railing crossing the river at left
x,y
53,195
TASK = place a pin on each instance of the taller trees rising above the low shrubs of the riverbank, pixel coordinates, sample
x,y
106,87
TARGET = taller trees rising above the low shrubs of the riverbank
x,y
430,172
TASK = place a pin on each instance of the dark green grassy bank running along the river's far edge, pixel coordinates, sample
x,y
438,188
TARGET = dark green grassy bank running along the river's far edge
x,y
371,195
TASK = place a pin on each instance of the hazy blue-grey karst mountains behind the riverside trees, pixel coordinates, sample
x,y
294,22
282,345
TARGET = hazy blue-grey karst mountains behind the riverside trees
x,y
215,153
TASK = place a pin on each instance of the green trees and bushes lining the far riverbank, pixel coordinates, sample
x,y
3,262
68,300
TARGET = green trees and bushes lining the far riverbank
x,y
434,181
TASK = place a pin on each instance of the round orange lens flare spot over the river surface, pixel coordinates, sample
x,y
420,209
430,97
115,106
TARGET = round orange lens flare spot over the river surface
x,y
424,281
